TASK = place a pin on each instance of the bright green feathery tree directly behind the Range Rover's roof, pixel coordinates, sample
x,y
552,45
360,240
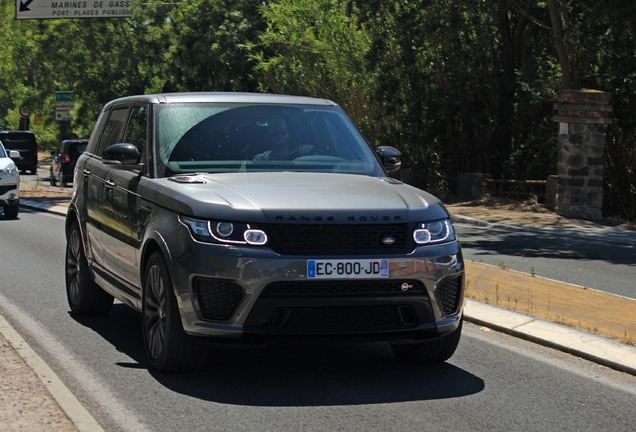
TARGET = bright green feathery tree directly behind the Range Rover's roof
x,y
315,48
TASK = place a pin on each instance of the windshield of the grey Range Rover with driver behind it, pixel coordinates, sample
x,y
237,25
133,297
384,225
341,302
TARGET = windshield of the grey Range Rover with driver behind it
x,y
217,138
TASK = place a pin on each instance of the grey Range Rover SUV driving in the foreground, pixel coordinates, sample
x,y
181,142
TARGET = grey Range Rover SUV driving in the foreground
x,y
232,219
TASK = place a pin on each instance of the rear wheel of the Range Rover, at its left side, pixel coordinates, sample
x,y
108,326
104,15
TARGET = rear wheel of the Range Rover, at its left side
x,y
84,296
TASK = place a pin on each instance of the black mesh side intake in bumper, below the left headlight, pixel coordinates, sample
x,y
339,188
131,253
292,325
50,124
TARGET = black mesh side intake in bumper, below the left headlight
x,y
216,299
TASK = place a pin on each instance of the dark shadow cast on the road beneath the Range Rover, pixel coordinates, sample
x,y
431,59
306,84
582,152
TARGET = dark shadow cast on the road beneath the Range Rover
x,y
294,375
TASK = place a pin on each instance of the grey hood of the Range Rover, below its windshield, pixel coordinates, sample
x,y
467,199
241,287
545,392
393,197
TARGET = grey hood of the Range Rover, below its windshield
x,y
298,197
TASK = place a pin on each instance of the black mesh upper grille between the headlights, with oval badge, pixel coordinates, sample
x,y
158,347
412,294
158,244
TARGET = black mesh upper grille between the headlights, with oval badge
x,y
324,239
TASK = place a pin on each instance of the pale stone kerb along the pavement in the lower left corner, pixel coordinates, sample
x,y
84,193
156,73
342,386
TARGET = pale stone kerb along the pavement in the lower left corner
x,y
74,410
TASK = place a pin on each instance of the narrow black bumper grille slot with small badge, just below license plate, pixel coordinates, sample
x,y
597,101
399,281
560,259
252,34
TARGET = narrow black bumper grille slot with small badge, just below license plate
x,y
349,288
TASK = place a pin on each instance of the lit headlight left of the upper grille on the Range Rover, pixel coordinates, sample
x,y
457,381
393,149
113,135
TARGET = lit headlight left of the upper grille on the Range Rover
x,y
224,232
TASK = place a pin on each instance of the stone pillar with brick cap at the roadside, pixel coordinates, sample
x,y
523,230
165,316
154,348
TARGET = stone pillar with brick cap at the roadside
x,y
583,116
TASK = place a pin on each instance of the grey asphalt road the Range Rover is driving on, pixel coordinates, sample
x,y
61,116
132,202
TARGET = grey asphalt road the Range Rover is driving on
x,y
494,382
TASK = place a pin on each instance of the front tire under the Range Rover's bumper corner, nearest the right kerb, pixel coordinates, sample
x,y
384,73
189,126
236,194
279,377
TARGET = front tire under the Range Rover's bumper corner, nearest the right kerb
x,y
430,352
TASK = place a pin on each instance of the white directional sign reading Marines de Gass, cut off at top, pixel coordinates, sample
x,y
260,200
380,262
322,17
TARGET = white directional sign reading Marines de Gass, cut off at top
x,y
48,9
